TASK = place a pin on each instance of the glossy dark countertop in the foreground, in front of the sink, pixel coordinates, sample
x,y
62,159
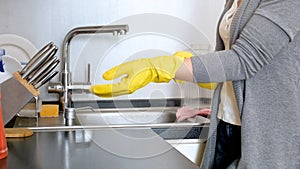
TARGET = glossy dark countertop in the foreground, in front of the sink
x,y
109,148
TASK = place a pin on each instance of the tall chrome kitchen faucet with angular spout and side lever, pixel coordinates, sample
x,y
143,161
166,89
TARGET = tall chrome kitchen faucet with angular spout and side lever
x,y
66,87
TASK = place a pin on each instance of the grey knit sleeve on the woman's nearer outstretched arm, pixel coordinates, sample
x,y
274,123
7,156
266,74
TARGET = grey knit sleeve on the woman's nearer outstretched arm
x,y
271,28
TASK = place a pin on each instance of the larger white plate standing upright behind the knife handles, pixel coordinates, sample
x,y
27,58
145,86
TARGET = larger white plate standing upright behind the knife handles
x,y
20,48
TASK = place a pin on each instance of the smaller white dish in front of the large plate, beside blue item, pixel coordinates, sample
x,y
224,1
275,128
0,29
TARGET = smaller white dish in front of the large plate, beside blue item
x,y
11,64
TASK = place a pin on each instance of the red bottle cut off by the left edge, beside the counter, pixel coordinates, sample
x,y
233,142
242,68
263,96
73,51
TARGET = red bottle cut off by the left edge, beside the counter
x,y
3,145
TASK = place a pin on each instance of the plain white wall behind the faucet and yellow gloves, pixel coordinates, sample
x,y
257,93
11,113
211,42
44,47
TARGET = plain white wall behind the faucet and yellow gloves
x,y
156,28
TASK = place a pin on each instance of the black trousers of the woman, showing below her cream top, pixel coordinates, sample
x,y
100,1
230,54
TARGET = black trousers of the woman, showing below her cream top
x,y
228,146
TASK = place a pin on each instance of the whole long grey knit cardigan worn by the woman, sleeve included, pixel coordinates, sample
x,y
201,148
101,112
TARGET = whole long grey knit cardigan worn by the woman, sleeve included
x,y
264,65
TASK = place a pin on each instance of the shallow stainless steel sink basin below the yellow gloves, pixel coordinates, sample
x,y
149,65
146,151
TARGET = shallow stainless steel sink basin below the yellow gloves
x,y
135,116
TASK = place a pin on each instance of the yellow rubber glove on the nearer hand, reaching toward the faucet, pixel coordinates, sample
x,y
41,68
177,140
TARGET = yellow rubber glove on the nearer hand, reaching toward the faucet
x,y
138,73
